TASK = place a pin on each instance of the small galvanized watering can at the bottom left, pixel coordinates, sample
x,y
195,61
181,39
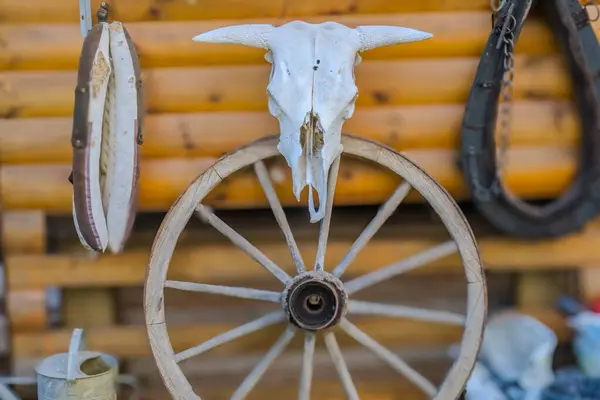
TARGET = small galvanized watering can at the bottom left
x,y
78,374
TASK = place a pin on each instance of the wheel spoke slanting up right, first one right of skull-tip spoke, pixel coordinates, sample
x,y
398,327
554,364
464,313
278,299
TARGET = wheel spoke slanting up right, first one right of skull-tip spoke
x,y
384,212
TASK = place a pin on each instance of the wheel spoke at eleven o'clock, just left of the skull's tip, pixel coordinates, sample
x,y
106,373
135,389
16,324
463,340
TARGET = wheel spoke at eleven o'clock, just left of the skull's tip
x,y
267,185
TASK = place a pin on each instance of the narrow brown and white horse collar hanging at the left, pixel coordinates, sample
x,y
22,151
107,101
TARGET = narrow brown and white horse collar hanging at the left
x,y
107,133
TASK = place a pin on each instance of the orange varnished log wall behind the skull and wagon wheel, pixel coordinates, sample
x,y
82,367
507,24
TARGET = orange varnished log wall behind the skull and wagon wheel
x,y
205,100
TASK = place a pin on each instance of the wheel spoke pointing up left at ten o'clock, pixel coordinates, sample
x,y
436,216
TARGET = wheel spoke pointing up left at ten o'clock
x,y
242,243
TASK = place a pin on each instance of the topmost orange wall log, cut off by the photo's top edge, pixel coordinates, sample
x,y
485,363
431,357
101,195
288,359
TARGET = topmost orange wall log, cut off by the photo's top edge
x,y
144,10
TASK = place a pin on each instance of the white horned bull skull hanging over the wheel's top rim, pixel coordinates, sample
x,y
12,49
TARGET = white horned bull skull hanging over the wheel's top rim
x,y
311,88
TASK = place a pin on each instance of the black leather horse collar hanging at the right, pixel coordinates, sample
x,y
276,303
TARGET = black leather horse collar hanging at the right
x,y
571,26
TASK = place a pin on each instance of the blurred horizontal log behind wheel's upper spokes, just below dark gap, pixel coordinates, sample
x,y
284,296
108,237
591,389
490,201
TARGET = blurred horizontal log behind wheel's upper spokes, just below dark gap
x,y
224,263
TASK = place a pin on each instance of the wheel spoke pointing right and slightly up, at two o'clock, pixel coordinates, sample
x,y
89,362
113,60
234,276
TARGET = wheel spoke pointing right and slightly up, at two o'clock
x,y
418,260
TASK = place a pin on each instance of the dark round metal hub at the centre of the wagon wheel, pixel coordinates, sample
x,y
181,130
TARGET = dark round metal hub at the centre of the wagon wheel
x,y
315,301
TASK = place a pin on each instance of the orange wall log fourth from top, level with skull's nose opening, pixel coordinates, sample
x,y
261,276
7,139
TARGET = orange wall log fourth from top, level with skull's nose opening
x,y
211,134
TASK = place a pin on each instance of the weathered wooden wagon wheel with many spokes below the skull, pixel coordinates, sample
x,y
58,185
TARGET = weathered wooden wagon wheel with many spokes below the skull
x,y
316,299
